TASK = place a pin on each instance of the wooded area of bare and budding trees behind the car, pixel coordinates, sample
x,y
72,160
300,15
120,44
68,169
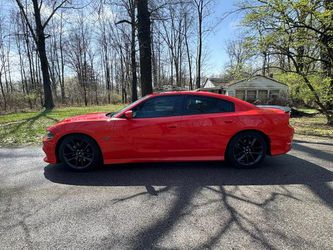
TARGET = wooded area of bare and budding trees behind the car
x,y
62,52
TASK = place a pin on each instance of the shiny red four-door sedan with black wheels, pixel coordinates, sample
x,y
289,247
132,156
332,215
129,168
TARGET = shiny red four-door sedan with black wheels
x,y
172,126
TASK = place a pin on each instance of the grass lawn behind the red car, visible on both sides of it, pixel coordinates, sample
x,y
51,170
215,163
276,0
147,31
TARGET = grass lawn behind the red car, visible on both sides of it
x,y
29,127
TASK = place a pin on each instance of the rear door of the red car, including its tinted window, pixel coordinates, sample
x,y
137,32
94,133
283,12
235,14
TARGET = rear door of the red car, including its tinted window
x,y
207,125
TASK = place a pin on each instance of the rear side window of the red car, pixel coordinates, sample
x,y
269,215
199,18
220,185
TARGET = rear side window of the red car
x,y
206,105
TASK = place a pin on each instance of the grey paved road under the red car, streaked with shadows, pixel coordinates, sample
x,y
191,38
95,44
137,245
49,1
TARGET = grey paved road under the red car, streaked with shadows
x,y
286,204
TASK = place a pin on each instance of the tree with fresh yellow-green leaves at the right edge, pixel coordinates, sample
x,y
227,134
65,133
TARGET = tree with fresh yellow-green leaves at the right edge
x,y
300,31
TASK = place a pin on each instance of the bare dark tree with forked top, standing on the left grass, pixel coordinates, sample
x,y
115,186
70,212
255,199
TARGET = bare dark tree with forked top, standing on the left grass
x,y
38,34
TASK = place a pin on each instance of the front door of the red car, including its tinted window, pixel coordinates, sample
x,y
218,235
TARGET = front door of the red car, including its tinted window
x,y
152,133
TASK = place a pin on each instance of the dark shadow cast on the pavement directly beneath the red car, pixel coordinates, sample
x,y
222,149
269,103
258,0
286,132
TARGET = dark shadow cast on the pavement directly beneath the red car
x,y
280,170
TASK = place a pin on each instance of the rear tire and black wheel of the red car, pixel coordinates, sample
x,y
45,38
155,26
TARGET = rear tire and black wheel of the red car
x,y
246,150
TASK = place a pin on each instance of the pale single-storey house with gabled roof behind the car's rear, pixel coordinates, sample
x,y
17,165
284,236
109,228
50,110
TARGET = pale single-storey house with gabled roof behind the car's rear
x,y
259,89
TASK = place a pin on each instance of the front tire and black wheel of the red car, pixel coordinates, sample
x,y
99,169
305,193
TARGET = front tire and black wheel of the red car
x,y
79,152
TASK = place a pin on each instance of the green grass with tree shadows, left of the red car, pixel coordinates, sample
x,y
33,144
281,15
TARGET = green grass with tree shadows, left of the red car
x,y
29,127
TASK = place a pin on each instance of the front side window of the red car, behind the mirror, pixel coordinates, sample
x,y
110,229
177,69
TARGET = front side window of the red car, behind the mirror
x,y
160,106
